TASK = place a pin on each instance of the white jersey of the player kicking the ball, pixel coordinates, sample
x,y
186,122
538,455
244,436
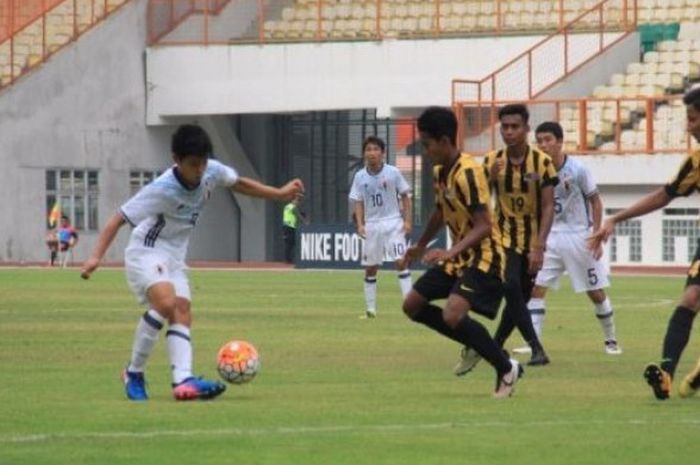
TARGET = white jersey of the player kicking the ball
x,y
164,212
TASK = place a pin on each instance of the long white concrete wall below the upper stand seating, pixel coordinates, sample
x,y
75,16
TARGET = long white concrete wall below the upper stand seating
x,y
329,76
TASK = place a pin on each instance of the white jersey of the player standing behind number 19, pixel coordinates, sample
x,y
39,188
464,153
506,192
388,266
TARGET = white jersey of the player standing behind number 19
x,y
571,195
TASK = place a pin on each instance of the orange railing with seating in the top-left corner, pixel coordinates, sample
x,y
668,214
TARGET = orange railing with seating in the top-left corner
x,y
33,30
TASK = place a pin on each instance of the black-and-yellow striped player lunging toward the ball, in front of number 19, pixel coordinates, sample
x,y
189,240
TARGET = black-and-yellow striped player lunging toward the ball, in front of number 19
x,y
470,273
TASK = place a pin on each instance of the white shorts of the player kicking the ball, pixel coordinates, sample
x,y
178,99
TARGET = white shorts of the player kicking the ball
x,y
146,267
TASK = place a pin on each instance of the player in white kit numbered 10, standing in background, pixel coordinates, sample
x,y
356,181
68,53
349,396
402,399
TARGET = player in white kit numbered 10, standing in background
x,y
381,220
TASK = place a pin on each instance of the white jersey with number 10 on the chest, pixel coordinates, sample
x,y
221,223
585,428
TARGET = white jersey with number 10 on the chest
x,y
379,192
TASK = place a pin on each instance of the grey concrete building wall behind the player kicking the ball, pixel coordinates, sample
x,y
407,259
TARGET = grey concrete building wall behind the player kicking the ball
x,y
85,109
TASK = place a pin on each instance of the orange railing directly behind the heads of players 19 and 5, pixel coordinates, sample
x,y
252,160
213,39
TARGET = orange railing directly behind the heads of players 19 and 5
x,y
591,125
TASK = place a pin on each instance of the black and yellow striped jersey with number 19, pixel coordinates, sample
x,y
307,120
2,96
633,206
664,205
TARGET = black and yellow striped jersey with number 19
x,y
518,190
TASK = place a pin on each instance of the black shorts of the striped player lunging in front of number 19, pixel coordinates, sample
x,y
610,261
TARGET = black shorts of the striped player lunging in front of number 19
x,y
483,291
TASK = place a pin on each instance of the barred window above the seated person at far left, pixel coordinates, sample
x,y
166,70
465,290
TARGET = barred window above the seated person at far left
x,y
76,192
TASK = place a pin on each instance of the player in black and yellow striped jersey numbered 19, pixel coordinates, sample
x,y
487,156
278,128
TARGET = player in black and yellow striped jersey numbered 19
x,y
523,179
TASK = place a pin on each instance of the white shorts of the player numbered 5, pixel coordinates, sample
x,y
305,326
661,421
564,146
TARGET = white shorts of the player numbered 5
x,y
567,251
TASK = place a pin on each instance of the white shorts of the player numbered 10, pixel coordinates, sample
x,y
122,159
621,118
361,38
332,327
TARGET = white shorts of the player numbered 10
x,y
384,241
